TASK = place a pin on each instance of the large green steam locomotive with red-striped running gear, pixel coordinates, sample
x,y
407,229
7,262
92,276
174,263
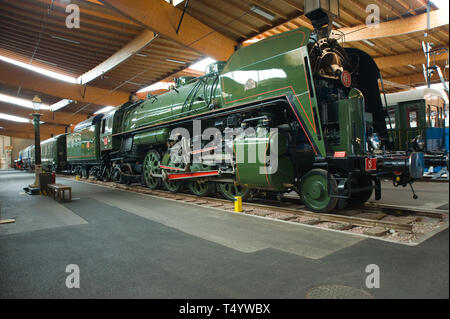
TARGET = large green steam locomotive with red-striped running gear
x,y
298,112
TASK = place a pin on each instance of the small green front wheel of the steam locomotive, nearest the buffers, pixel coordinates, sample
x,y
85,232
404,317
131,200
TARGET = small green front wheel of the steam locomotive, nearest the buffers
x,y
314,191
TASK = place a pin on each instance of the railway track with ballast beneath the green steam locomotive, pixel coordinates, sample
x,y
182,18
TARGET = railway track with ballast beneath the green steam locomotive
x,y
377,219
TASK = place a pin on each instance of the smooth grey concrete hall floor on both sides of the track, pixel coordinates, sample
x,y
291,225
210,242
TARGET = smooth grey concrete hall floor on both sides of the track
x,y
130,245
